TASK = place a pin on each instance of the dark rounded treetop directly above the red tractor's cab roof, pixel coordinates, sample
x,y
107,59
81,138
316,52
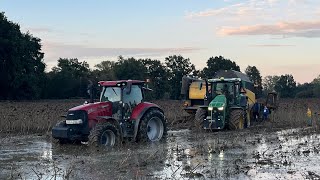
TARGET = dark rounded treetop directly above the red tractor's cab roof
x,y
129,69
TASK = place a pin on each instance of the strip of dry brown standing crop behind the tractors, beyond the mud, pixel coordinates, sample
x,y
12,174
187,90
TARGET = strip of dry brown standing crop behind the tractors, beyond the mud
x,y
40,116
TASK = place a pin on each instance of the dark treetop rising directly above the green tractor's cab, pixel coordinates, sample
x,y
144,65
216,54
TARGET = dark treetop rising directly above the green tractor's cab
x,y
215,64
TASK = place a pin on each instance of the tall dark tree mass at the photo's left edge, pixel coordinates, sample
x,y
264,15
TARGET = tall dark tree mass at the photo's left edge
x,y
21,62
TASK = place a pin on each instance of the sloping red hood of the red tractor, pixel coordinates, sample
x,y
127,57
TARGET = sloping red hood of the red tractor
x,y
94,107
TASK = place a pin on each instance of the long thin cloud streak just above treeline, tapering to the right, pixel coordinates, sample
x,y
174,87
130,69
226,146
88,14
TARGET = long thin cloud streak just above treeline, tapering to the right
x,y
55,50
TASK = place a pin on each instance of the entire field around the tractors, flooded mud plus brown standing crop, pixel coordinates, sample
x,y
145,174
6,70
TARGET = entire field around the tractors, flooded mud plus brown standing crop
x,y
282,148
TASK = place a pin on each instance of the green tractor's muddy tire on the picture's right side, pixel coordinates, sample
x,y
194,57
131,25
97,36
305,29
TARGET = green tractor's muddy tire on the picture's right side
x,y
236,120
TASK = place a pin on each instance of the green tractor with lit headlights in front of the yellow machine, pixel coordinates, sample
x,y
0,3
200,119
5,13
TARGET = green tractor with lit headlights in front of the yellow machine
x,y
227,104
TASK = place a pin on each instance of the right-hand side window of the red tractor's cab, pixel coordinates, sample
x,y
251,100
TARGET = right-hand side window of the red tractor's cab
x,y
134,97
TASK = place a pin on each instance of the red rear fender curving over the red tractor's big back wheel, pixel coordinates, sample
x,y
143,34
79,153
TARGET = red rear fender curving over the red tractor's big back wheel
x,y
138,112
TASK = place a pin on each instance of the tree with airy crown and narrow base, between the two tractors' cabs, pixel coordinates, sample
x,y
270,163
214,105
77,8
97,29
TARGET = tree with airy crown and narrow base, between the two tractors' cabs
x,y
177,67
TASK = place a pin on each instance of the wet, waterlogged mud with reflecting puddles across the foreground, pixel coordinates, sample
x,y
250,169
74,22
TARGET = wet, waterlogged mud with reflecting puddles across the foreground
x,y
254,153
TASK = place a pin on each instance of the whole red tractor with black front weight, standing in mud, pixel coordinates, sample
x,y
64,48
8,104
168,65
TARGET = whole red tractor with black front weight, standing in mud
x,y
121,113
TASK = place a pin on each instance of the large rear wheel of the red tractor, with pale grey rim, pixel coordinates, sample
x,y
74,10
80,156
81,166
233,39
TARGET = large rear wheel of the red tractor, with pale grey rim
x,y
152,126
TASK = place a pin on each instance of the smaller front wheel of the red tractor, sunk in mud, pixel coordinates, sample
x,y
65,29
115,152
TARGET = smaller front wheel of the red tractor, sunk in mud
x,y
104,134
